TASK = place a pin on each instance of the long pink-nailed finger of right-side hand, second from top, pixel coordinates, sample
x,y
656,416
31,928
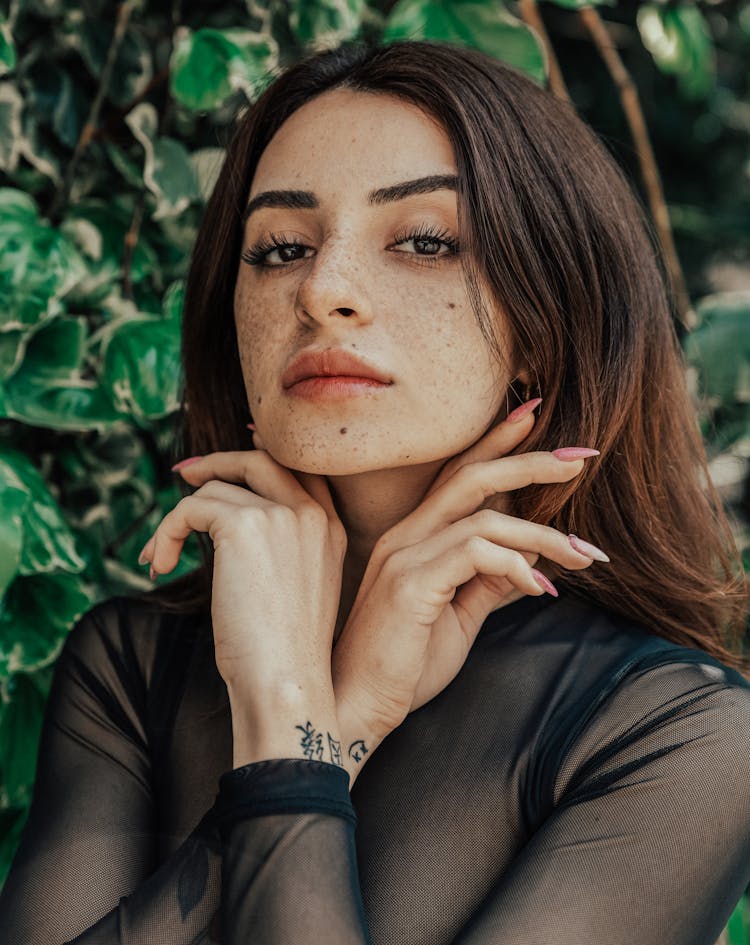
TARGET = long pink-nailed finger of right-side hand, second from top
x,y
465,491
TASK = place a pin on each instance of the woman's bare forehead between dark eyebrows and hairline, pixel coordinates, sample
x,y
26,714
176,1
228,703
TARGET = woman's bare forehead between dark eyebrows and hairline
x,y
353,140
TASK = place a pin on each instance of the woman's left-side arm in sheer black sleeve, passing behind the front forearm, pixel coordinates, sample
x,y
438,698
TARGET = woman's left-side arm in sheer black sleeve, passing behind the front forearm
x,y
84,867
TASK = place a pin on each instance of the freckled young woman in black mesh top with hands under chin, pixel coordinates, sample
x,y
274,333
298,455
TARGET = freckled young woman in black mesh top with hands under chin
x,y
453,673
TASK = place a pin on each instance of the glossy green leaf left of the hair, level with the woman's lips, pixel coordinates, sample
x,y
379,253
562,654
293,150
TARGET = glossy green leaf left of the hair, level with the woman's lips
x,y
142,367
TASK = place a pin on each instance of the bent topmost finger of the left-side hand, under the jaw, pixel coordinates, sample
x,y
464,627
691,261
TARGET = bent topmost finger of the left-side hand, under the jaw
x,y
254,468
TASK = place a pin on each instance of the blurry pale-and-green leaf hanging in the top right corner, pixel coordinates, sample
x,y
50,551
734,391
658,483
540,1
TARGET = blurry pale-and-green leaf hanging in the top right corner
x,y
680,41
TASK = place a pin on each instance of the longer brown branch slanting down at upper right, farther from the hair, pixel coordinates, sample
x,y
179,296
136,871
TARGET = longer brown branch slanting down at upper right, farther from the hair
x,y
649,170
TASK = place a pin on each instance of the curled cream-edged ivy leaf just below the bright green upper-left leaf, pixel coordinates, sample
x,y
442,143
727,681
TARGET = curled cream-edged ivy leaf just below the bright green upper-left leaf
x,y
168,172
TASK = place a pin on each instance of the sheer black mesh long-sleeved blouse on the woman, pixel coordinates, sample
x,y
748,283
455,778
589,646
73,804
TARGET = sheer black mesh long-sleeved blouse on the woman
x,y
580,782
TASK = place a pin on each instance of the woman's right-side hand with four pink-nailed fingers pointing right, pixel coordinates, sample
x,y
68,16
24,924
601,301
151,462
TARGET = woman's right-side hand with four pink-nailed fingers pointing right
x,y
433,578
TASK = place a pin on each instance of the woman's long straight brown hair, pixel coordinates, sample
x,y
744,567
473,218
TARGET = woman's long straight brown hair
x,y
556,234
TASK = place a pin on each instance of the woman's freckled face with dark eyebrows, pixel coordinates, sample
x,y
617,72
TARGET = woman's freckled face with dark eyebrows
x,y
376,275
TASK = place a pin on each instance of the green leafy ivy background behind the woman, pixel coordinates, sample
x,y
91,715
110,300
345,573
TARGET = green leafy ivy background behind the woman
x,y
113,120
